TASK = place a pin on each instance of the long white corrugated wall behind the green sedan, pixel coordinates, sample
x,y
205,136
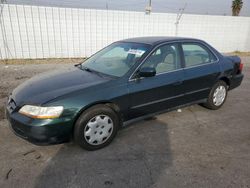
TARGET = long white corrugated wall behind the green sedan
x,y
48,32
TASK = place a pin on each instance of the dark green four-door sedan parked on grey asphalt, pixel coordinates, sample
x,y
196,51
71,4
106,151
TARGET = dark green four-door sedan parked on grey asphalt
x,y
127,81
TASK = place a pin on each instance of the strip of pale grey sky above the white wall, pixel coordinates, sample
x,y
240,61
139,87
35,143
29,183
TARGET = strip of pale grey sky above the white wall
x,y
218,7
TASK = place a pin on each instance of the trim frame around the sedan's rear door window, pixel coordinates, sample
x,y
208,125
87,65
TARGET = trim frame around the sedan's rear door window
x,y
202,45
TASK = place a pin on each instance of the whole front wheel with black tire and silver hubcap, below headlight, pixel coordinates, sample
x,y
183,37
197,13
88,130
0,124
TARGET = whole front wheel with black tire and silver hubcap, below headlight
x,y
96,127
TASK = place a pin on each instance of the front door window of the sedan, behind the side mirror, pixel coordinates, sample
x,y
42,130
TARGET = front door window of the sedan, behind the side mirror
x,y
164,59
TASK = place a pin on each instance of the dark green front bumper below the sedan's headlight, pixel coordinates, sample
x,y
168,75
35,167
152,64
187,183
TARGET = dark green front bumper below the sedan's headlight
x,y
40,131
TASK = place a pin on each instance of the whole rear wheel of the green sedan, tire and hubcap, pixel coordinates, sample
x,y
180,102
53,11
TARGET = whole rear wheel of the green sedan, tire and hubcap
x,y
212,103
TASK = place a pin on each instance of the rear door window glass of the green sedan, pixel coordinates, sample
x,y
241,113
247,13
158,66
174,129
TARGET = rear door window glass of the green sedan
x,y
197,54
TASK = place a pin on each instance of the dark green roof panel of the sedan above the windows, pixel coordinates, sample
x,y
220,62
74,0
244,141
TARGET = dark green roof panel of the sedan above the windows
x,y
155,40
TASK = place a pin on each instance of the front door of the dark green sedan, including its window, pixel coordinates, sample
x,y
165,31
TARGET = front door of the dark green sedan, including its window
x,y
162,91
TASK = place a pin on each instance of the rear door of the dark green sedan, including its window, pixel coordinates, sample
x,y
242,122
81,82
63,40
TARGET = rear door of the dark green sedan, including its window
x,y
201,70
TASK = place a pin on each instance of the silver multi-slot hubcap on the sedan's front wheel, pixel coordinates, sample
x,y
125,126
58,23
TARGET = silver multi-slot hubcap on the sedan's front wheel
x,y
98,129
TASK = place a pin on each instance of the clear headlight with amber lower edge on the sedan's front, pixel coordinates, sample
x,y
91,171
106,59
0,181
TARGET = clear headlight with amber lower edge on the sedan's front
x,y
41,112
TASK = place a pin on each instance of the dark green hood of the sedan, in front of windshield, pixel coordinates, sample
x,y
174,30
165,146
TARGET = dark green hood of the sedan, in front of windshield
x,y
48,86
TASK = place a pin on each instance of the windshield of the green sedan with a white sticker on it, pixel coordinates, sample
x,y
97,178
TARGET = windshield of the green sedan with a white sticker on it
x,y
116,59
